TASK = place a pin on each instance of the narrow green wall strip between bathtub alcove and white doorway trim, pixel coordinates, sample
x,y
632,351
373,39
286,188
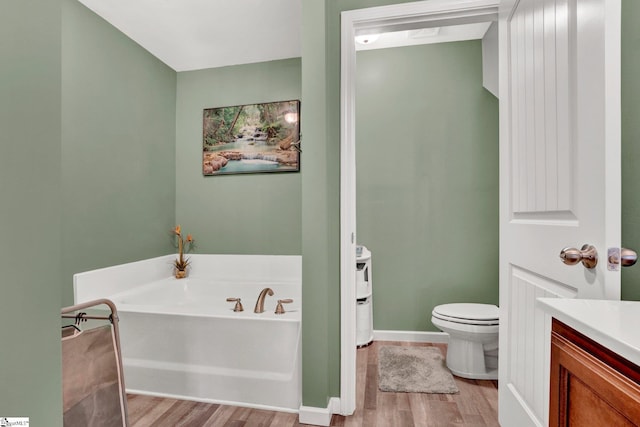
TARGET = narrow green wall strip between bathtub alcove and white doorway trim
x,y
321,196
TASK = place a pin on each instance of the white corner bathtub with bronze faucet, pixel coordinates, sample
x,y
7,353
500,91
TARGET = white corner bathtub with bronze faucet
x,y
180,337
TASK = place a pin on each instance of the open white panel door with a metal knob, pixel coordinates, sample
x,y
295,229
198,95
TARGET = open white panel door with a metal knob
x,y
559,178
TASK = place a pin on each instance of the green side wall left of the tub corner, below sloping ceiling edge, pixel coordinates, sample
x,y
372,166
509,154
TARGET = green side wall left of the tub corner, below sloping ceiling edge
x,y
118,148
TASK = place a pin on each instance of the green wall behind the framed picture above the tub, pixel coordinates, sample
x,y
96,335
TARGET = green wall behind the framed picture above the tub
x,y
235,214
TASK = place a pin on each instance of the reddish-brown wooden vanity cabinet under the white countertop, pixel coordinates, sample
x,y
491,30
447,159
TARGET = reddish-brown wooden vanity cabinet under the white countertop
x,y
590,385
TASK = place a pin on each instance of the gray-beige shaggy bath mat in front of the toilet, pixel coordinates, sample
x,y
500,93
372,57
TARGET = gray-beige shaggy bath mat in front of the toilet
x,y
414,370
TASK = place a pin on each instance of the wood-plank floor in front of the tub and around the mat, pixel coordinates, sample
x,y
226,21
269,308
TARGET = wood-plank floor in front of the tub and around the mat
x,y
476,405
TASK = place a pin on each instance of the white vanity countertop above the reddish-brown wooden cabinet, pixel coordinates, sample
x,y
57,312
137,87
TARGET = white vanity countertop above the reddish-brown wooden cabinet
x,y
613,324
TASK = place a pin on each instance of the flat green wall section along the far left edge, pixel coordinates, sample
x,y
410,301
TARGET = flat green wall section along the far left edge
x,y
30,151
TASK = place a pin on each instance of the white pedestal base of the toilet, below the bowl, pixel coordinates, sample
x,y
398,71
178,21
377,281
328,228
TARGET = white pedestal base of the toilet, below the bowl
x,y
472,359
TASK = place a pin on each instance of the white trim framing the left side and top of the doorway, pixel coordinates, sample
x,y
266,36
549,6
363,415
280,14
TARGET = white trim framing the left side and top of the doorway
x,y
407,16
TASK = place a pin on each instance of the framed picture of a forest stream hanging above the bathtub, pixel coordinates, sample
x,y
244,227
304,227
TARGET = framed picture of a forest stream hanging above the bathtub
x,y
253,138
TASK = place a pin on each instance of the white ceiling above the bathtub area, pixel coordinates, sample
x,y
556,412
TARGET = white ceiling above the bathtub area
x,y
196,34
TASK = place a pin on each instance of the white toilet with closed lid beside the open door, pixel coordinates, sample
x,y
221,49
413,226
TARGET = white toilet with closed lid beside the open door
x,y
473,338
